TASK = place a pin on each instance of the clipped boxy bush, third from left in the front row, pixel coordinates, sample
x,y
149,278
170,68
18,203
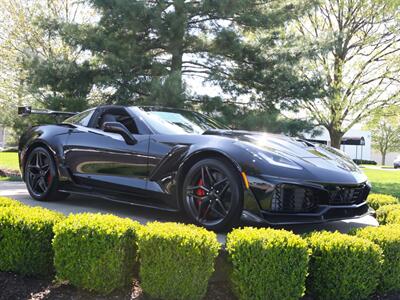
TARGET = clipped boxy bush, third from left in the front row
x,y
176,260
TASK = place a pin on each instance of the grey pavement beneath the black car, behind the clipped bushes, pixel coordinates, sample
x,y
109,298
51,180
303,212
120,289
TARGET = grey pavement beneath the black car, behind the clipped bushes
x,y
79,204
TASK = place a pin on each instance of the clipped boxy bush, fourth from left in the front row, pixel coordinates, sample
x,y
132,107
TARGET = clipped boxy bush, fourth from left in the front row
x,y
267,263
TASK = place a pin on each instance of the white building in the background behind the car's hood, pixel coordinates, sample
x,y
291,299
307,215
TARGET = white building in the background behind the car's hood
x,y
353,136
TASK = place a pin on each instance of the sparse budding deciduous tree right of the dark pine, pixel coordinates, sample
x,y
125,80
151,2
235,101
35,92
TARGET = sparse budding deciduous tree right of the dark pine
x,y
357,43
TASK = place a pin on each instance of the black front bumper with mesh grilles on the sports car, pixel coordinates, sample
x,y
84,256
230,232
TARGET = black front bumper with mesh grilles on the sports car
x,y
278,201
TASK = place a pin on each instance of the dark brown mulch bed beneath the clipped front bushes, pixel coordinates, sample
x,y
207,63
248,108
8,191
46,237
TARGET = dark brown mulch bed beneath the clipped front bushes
x,y
16,287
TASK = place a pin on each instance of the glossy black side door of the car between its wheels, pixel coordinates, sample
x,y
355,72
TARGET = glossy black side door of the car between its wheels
x,y
104,160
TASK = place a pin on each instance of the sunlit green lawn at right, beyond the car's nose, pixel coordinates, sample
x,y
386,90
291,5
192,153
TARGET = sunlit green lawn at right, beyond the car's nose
x,y
384,181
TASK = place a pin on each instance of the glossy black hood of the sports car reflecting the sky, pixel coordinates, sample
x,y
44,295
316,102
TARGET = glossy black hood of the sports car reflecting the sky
x,y
301,151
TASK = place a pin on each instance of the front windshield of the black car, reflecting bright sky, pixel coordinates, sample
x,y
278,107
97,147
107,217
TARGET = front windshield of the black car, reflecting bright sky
x,y
171,121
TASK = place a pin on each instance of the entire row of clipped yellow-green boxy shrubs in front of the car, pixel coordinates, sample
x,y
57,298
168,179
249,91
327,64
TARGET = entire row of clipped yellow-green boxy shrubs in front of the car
x,y
99,253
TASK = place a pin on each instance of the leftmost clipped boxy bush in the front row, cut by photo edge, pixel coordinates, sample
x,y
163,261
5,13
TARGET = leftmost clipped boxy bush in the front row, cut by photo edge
x,y
25,239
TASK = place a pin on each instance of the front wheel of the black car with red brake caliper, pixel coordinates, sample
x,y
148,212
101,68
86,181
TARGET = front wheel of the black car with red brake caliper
x,y
209,183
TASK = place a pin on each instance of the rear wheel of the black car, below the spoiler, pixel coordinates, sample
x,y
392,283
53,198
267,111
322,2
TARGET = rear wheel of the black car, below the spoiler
x,y
41,176
